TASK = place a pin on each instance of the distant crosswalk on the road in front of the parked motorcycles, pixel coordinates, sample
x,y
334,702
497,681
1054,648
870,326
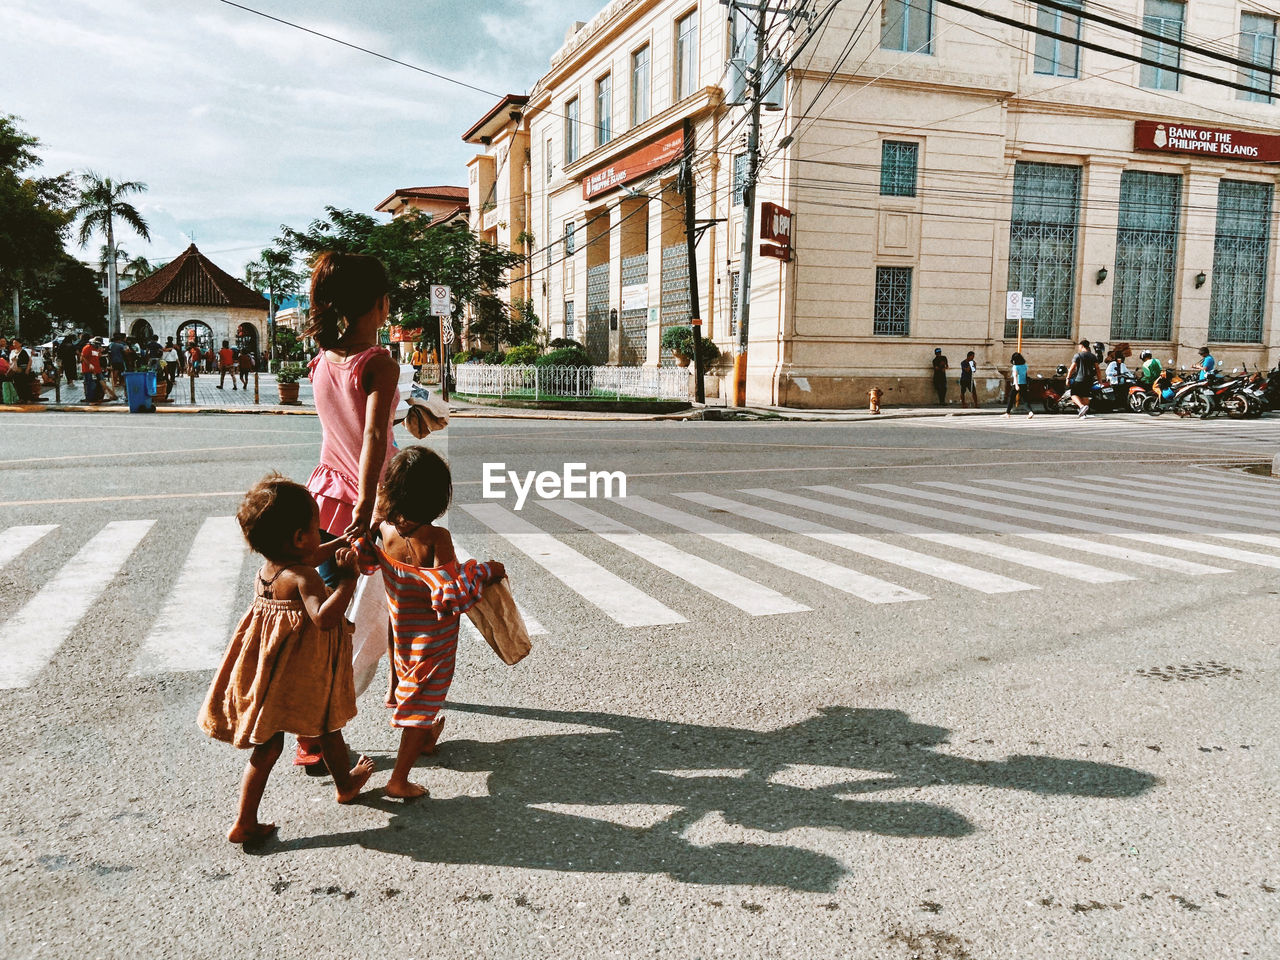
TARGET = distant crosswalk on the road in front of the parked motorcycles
x,y
1214,436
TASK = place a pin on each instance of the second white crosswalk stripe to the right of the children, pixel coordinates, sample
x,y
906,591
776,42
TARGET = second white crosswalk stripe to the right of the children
x,y
733,588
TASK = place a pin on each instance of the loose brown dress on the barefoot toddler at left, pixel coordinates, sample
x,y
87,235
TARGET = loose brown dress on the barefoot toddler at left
x,y
281,674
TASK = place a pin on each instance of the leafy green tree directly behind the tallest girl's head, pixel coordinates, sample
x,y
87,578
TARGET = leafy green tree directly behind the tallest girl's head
x,y
417,255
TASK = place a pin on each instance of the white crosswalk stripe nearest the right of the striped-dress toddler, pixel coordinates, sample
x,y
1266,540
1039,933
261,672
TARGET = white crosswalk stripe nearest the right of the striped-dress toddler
x,y
584,577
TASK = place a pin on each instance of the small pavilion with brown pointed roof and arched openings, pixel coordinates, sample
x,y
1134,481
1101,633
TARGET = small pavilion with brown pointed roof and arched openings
x,y
194,300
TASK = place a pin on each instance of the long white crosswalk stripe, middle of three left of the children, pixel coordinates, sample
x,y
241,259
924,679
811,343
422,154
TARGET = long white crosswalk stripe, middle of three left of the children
x,y
34,636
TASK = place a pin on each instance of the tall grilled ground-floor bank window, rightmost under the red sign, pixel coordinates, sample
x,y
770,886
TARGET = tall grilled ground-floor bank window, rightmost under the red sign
x,y
1242,243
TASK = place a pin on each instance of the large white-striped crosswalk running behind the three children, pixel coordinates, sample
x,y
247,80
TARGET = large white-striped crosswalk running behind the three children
x,y
691,560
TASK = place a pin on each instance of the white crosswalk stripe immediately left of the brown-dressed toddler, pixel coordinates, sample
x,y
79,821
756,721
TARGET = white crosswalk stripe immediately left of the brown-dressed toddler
x,y
195,623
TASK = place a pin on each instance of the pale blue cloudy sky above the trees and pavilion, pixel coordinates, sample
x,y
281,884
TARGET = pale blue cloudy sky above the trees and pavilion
x,y
239,125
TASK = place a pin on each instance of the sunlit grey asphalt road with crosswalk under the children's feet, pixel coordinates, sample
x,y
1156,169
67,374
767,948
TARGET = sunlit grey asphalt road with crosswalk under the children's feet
x,y
994,689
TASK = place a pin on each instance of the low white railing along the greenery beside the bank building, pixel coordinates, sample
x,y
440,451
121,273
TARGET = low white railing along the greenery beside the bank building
x,y
579,382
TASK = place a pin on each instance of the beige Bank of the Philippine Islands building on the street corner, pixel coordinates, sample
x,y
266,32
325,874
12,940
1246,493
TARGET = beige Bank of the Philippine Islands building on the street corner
x,y
932,161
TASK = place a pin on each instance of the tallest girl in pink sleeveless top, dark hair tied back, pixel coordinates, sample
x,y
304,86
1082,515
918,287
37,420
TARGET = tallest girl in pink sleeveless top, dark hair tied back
x,y
355,387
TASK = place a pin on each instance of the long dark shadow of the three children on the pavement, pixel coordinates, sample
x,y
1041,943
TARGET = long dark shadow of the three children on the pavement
x,y
630,761
